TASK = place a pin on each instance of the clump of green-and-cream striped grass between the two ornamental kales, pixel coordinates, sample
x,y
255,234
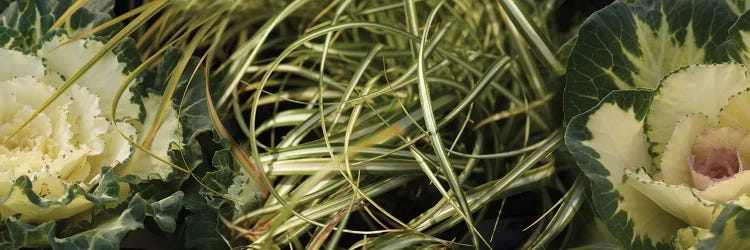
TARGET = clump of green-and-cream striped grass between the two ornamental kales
x,y
335,110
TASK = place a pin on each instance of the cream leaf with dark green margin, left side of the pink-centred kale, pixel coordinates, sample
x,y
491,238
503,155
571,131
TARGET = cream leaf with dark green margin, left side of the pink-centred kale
x,y
606,141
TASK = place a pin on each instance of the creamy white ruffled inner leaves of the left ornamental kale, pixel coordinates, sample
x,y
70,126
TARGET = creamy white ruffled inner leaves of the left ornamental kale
x,y
69,142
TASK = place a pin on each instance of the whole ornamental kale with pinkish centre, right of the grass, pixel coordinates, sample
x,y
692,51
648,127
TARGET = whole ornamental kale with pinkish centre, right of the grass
x,y
657,104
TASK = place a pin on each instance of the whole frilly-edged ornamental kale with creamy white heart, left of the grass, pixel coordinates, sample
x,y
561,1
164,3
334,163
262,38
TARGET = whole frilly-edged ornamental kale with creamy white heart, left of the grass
x,y
90,148
